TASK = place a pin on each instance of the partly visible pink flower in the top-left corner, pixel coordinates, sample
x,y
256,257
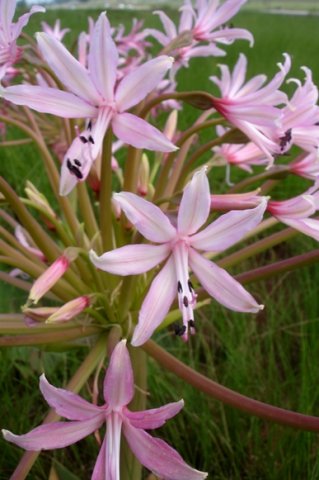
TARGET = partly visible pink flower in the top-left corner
x,y
9,31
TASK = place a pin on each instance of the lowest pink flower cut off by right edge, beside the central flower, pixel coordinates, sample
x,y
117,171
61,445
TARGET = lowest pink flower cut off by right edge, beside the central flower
x,y
296,211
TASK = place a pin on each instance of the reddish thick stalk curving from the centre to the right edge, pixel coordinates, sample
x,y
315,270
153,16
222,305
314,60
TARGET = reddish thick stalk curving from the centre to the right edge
x,y
228,396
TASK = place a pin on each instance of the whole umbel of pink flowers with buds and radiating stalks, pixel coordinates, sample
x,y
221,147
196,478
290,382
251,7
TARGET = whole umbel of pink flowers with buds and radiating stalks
x,y
132,244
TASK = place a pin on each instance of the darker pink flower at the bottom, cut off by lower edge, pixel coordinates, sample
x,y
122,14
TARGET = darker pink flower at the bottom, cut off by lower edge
x,y
85,418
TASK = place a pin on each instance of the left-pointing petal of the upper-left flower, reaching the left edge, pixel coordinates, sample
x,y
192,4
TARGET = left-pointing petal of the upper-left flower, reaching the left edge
x,y
49,100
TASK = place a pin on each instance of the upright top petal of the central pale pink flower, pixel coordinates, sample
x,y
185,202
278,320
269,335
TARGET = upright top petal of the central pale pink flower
x,y
195,205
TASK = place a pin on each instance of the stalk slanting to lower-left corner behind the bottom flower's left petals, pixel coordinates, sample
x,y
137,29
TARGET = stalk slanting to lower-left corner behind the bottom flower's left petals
x,y
76,383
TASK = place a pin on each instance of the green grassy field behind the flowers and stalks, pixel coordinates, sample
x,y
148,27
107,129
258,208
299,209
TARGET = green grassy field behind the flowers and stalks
x,y
272,356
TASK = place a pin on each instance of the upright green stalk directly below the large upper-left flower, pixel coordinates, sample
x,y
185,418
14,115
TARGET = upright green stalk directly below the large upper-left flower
x,y
106,193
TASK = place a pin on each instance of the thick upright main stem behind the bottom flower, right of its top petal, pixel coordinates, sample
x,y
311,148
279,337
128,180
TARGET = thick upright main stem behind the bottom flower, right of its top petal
x,y
130,466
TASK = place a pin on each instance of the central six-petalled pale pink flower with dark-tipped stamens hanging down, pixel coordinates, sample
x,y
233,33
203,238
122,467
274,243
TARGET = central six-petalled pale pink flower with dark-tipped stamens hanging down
x,y
179,246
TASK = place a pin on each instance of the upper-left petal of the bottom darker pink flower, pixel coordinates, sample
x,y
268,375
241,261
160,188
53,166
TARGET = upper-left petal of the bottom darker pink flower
x,y
66,403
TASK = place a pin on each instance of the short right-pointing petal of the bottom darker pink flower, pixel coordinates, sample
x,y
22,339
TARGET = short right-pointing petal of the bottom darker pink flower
x,y
154,418
